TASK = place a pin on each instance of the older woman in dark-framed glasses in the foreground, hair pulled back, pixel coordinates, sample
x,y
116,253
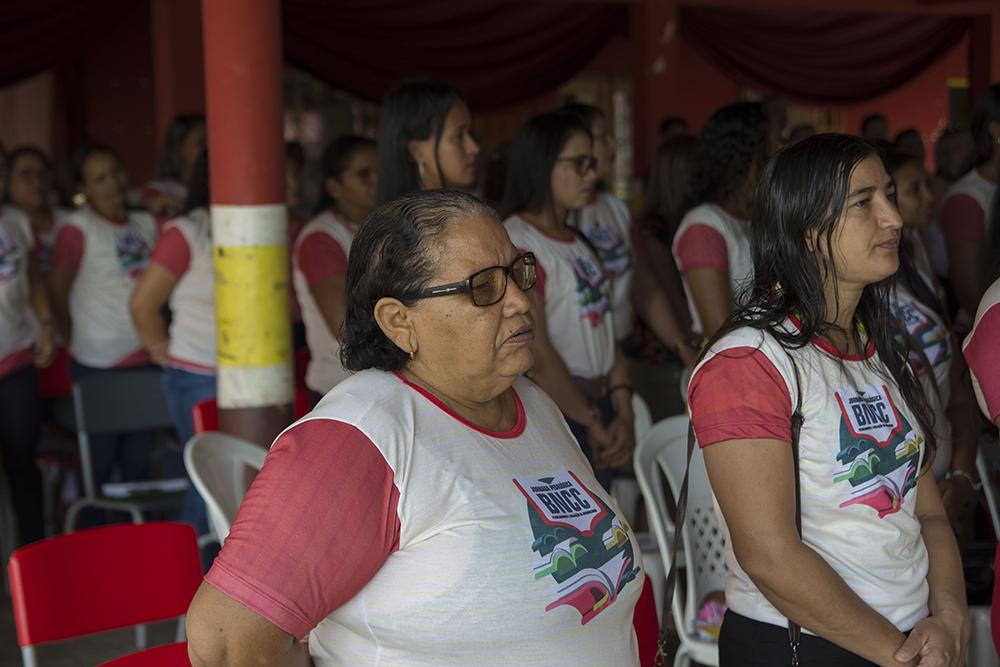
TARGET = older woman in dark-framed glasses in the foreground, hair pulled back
x,y
433,509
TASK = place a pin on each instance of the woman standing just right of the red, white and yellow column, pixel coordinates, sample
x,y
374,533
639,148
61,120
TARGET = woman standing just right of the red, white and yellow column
x,y
319,257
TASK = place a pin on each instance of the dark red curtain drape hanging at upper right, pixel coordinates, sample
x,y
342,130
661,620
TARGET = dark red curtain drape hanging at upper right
x,y
820,57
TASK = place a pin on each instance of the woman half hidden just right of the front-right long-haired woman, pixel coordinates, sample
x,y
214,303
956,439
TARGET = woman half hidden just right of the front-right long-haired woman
x,y
918,304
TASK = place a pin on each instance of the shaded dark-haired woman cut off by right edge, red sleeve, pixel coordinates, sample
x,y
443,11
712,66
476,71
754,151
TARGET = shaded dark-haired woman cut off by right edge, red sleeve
x,y
965,213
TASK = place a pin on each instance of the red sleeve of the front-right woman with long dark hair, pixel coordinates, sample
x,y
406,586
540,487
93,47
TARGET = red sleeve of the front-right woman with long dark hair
x,y
739,395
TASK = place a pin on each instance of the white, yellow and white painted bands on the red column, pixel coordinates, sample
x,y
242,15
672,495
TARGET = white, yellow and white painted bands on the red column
x,y
253,333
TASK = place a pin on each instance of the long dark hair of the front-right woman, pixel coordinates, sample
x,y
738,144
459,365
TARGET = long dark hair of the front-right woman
x,y
802,192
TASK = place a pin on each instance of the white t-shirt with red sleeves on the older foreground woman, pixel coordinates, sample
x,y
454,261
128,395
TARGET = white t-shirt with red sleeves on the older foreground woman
x,y
393,532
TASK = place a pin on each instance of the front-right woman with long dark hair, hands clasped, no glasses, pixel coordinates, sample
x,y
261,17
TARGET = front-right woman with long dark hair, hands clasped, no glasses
x,y
817,437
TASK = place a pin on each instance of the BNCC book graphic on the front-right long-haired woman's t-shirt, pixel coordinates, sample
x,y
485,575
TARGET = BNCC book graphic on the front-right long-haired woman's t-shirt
x,y
879,450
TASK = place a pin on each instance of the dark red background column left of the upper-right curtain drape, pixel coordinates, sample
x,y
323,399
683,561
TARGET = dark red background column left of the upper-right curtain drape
x,y
654,25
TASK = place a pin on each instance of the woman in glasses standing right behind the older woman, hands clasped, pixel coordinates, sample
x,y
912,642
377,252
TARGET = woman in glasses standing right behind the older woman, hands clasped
x,y
577,360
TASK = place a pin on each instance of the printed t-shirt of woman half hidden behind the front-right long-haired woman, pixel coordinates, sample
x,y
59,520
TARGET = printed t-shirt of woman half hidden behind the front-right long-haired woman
x,y
930,334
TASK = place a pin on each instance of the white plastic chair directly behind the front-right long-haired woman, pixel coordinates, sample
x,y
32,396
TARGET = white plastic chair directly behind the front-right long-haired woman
x,y
664,450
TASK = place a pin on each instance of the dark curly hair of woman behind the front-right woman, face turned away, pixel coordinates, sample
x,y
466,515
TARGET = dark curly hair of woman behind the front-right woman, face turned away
x,y
733,140
